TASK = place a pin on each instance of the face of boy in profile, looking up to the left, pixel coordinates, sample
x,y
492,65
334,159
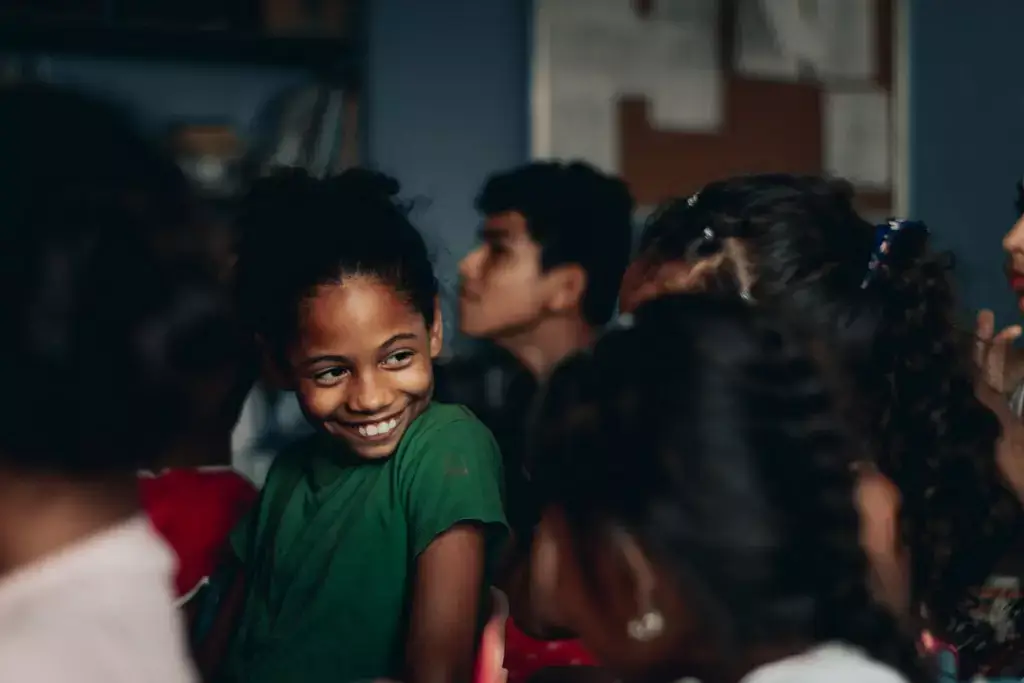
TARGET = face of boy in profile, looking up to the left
x,y
503,290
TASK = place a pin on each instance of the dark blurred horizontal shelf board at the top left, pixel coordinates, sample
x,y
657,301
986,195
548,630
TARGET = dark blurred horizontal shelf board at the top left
x,y
331,58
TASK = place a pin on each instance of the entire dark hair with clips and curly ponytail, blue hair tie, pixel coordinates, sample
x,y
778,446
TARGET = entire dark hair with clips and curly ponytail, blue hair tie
x,y
795,244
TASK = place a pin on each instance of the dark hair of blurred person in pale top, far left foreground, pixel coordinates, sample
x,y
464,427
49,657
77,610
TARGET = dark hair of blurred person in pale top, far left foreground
x,y
110,314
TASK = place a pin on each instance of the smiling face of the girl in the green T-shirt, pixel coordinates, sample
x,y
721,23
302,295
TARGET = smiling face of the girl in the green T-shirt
x,y
362,364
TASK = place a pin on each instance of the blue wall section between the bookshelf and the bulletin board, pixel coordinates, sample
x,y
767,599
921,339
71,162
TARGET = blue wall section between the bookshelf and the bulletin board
x,y
448,106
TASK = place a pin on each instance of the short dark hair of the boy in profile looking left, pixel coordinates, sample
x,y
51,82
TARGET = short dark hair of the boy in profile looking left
x,y
578,216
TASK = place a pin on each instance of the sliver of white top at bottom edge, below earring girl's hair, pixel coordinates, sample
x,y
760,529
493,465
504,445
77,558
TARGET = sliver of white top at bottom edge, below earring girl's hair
x,y
827,664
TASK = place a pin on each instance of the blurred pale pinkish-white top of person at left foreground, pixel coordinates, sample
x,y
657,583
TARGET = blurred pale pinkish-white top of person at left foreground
x,y
100,612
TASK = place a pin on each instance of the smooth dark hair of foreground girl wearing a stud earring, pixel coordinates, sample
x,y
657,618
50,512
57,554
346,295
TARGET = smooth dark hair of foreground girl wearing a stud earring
x,y
707,434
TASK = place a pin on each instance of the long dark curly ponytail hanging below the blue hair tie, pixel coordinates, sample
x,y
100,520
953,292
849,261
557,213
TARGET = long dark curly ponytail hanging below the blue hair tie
x,y
934,438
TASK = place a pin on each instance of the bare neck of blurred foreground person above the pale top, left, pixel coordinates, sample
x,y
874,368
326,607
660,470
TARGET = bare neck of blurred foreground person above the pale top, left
x,y
41,516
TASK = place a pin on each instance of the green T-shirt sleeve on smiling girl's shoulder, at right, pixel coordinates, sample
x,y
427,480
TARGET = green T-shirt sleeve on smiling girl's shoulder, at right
x,y
454,476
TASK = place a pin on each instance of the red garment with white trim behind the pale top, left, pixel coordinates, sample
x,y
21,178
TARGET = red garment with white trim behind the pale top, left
x,y
195,510
